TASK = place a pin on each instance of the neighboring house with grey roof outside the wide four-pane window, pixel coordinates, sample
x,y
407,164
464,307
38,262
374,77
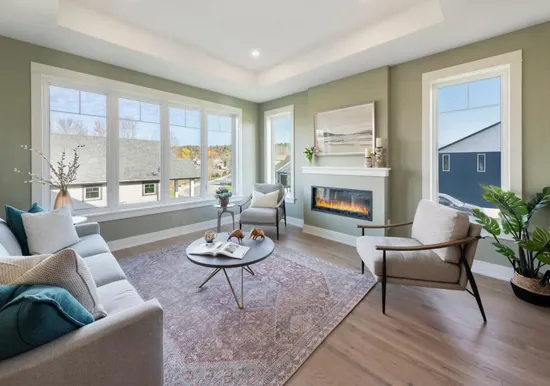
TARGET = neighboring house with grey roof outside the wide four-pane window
x,y
139,170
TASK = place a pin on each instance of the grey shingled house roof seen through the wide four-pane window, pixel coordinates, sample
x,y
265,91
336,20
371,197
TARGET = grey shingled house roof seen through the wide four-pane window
x,y
138,159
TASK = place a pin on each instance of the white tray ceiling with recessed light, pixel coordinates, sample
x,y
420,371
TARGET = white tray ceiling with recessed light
x,y
303,43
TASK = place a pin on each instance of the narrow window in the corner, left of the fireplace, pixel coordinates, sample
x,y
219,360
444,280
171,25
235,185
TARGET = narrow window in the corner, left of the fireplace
x,y
279,139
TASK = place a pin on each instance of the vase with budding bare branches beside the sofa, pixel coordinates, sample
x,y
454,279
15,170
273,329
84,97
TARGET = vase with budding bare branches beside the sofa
x,y
62,174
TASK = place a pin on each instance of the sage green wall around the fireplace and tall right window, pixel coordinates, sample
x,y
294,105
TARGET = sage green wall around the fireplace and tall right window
x,y
400,99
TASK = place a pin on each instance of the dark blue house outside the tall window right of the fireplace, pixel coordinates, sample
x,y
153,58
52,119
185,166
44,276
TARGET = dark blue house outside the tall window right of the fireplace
x,y
470,162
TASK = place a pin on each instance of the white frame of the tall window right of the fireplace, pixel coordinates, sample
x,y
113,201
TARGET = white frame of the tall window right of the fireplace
x,y
509,68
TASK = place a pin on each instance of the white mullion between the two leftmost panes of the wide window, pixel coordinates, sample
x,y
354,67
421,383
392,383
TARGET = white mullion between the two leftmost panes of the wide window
x,y
112,151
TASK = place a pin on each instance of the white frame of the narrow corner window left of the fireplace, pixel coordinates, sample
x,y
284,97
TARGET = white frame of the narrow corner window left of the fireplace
x,y
268,142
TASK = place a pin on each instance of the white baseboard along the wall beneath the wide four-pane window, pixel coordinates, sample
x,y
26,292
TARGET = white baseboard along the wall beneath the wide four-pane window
x,y
134,241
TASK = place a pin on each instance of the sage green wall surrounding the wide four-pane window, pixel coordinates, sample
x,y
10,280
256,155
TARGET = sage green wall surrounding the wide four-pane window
x,y
15,129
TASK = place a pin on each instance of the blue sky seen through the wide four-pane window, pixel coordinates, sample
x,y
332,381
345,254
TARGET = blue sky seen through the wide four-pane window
x,y
184,123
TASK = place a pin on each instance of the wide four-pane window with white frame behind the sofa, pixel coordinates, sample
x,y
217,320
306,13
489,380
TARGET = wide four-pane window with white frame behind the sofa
x,y
139,148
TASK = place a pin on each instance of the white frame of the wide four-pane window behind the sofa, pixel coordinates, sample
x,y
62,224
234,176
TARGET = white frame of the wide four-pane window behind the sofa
x,y
42,76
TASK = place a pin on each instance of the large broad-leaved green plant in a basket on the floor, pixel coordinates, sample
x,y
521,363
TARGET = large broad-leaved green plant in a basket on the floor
x,y
532,245
